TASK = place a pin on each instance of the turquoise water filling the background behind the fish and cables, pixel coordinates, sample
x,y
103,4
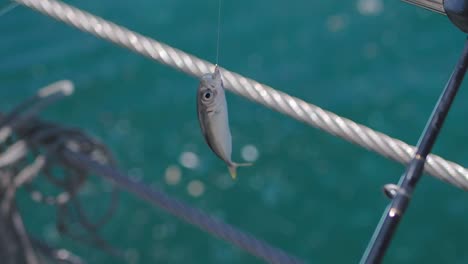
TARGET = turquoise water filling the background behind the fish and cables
x,y
381,64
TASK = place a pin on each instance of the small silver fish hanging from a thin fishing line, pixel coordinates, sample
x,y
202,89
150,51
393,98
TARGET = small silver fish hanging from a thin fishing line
x,y
213,117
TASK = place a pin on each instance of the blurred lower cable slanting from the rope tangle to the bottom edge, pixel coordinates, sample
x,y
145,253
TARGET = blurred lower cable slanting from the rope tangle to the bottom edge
x,y
183,211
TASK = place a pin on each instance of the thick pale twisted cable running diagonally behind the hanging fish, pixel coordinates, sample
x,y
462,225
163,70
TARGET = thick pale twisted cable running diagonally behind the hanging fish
x,y
255,91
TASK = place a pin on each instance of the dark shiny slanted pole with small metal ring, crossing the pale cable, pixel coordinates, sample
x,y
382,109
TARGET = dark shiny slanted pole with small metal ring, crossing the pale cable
x,y
401,194
